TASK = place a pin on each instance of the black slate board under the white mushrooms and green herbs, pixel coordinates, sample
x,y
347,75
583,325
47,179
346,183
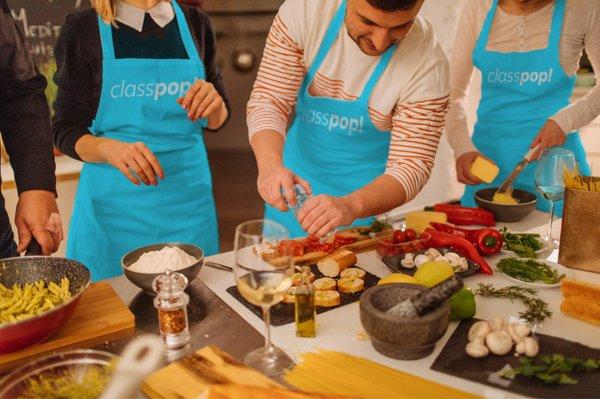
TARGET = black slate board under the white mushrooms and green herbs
x,y
454,361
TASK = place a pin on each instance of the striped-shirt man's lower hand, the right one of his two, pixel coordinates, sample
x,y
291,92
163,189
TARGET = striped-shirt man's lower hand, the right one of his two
x,y
323,213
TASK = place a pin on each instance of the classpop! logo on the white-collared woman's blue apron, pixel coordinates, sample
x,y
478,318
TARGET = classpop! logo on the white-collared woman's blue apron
x,y
154,90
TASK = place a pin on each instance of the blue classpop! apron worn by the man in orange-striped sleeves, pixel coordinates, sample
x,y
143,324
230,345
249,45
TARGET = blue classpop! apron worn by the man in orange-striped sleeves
x,y
332,143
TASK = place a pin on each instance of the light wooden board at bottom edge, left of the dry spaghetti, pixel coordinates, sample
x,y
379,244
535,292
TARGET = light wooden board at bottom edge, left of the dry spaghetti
x,y
191,375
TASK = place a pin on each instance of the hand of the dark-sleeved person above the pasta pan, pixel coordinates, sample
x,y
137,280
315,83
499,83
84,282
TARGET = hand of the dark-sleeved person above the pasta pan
x,y
37,215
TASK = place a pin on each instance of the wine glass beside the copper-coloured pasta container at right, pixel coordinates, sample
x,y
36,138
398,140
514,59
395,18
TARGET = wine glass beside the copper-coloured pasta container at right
x,y
550,182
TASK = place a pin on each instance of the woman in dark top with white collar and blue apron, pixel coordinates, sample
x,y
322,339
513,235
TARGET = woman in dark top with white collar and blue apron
x,y
153,105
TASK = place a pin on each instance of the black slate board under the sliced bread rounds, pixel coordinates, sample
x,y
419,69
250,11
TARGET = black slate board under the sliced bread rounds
x,y
283,313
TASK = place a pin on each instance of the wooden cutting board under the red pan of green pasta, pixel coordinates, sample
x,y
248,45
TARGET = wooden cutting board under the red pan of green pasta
x,y
100,317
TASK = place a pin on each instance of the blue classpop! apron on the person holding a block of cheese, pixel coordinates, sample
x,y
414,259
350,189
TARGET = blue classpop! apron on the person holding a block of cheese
x,y
519,92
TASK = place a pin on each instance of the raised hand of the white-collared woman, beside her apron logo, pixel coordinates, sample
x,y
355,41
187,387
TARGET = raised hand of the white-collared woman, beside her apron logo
x,y
204,101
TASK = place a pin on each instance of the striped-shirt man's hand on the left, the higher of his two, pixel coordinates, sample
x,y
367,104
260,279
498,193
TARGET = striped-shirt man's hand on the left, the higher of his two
x,y
269,183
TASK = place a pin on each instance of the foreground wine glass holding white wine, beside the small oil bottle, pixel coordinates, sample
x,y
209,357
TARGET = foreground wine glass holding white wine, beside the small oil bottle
x,y
263,284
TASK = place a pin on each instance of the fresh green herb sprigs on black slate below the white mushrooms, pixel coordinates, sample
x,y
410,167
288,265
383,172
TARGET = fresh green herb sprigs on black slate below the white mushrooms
x,y
552,369
